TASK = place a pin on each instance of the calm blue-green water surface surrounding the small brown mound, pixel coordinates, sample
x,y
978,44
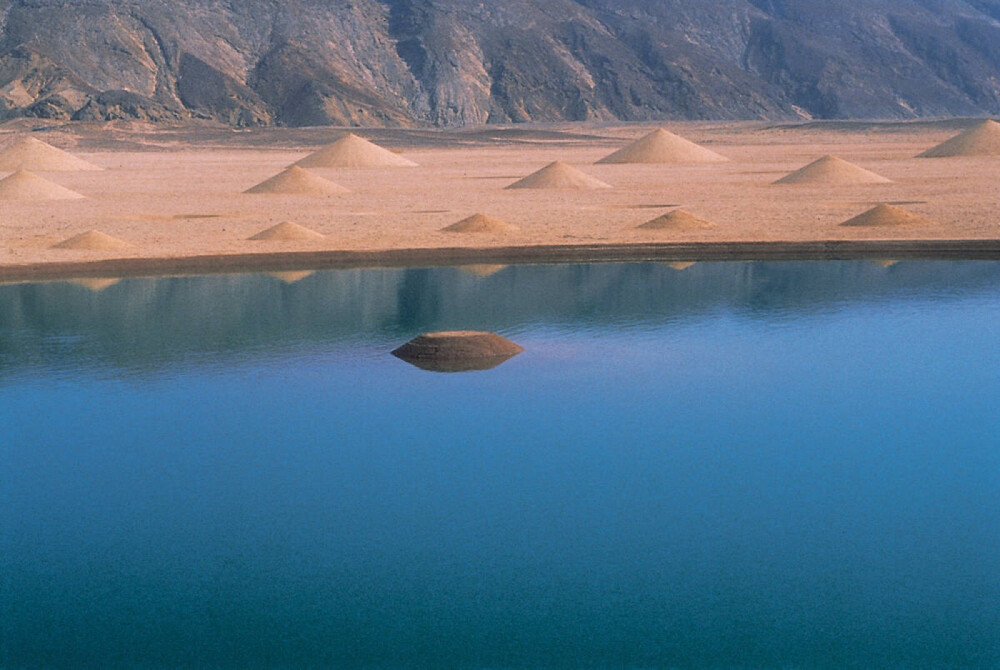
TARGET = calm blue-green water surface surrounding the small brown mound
x,y
752,465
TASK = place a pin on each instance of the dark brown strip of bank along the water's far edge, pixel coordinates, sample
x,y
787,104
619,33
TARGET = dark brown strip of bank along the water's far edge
x,y
814,250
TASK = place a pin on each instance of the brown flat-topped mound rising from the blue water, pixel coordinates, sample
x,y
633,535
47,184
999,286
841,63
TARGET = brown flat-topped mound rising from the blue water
x,y
457,350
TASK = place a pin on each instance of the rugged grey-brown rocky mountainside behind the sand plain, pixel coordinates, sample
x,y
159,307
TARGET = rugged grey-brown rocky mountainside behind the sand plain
x,y
450,62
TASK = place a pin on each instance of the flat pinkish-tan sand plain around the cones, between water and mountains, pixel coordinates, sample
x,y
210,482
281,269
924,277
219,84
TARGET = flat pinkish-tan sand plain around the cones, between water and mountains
x,y
176,197
